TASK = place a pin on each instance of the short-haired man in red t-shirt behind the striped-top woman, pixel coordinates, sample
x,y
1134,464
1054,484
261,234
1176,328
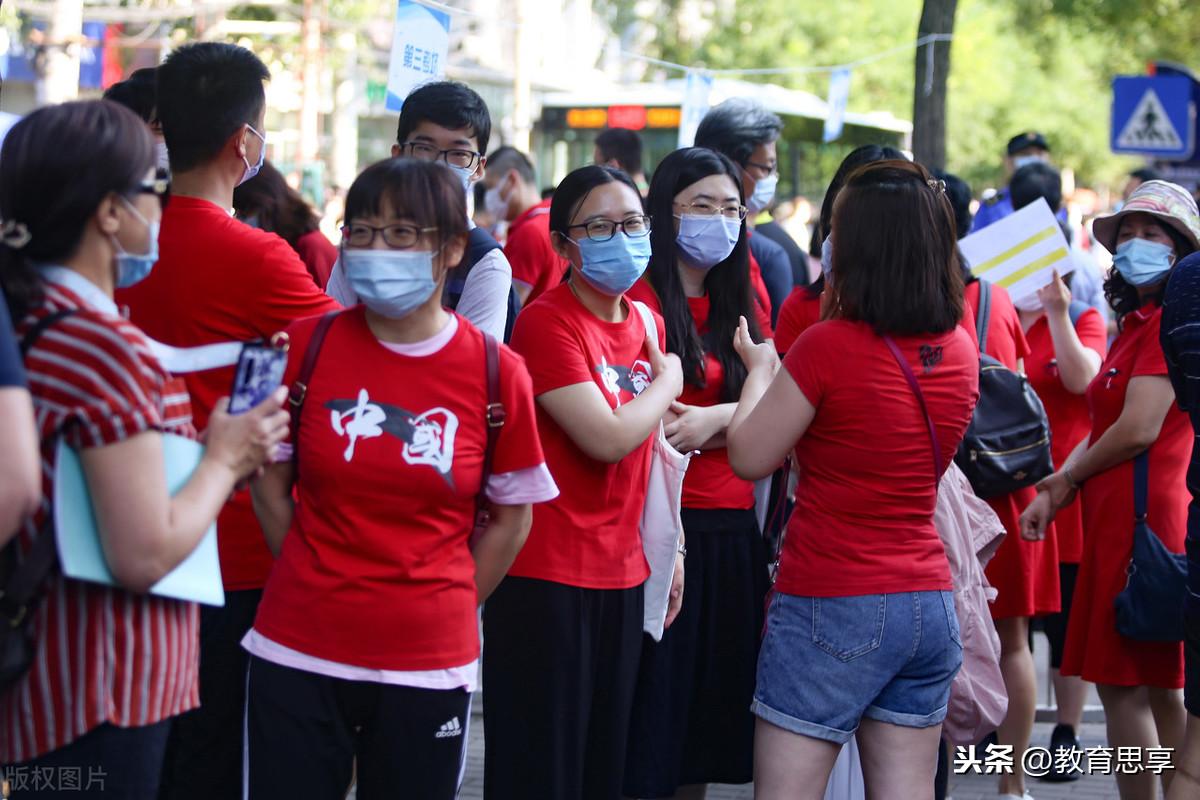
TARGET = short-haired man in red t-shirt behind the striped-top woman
x,y
218,280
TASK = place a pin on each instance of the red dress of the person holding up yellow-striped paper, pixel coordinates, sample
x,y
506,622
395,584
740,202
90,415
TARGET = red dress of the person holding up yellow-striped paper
x,y
1070,420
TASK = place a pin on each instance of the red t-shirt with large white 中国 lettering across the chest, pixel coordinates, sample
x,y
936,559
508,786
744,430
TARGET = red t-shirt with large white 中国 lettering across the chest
x,y
376,570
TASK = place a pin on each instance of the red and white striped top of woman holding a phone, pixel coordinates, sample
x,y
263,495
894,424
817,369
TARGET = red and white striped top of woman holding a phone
x,y
104,654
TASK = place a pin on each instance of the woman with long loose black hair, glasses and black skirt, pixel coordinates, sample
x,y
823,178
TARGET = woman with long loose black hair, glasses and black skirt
x,y
692,714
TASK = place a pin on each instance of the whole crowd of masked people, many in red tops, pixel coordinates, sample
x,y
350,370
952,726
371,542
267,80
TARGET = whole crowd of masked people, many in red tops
x,y
448,491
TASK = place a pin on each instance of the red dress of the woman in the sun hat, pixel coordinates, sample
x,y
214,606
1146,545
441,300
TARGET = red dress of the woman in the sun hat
x,y
1095,649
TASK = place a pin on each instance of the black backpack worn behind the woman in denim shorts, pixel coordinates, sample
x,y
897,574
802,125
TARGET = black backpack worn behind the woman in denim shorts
x,y
1007,446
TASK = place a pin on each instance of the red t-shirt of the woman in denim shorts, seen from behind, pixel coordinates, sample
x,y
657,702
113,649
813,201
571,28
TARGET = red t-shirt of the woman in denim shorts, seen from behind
x,y
865,506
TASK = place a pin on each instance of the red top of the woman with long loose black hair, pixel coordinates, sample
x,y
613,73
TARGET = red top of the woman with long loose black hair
x,y
710,482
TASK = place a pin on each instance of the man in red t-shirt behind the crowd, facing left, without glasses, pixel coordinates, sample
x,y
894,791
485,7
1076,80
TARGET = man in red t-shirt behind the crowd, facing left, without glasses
x,y
513,197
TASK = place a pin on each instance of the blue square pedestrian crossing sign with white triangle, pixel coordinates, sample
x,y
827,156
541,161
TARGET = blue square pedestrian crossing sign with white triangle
x,y
1154,117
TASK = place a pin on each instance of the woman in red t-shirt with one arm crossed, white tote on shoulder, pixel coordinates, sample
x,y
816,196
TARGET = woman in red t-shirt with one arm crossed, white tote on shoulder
x,y
565,630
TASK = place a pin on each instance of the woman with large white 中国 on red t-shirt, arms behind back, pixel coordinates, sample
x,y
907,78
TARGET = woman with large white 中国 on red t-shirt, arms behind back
x,y
367,645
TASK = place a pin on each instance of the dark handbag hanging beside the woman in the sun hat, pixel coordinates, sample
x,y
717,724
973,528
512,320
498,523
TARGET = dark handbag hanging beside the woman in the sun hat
x,y
1150,609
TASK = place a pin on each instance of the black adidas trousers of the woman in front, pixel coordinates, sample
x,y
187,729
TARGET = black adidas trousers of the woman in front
x,y
309,735
